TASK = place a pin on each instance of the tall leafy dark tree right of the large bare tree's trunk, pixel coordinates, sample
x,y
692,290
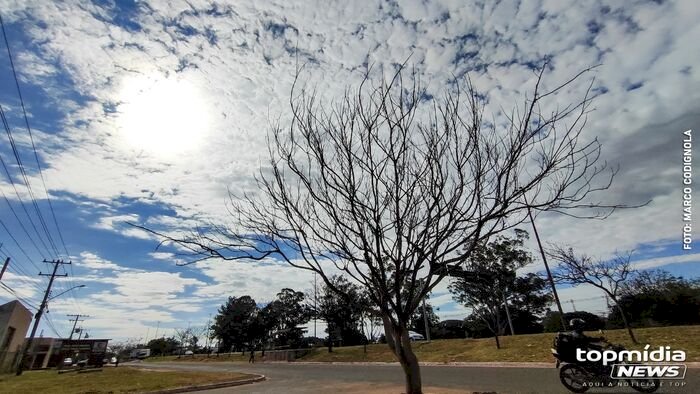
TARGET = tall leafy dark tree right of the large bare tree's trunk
x,y
488,284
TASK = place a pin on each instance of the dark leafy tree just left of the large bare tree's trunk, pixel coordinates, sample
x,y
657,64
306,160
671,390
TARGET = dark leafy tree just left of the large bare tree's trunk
x,y
342,311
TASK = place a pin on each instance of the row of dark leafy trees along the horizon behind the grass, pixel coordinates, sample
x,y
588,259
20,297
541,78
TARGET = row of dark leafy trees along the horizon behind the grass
x,y
502,301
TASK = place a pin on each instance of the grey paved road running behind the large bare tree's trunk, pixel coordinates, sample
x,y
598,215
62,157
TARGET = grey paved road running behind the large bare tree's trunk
x,y
345,378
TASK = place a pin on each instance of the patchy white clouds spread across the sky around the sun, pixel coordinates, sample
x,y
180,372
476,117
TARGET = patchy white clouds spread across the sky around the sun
x,y
243,61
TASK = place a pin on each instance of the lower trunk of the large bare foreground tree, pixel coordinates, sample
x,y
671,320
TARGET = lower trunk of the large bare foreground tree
x,y
400,344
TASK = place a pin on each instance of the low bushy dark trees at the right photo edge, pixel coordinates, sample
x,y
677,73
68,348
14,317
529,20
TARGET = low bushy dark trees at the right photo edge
x,y
657,298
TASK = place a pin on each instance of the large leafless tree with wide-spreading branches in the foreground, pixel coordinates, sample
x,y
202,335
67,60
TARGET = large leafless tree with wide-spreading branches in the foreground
x,y
393,188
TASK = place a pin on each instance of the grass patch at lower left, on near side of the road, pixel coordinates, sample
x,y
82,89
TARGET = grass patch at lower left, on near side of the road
x,y
109,380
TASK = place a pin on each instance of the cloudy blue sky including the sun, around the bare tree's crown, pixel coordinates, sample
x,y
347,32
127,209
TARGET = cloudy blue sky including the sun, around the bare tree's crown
x,y
150,111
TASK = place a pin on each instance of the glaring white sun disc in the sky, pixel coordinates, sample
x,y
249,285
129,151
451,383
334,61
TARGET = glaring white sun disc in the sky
x,y
163,116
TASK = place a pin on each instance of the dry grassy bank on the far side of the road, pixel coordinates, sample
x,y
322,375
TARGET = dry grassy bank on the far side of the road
x,y
518,348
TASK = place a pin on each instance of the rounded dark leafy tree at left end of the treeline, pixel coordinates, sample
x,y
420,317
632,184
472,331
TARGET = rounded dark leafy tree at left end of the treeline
x,y
234,322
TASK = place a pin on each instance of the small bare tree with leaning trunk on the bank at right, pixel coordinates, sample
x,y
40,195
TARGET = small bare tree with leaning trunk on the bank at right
x,y
607,275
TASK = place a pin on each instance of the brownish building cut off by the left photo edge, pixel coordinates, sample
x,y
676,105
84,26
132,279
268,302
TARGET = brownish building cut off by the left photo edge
x,y
14,323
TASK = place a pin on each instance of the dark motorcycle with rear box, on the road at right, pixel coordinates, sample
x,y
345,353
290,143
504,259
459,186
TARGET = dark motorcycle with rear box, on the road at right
x,y
579,376
